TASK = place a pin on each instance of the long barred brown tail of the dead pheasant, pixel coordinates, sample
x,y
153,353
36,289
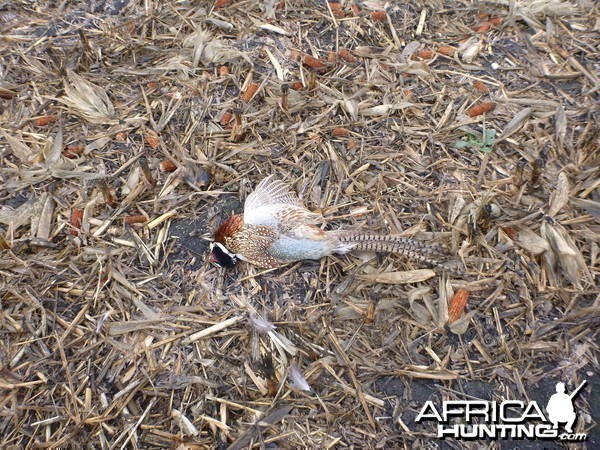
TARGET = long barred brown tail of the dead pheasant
x,y
434,255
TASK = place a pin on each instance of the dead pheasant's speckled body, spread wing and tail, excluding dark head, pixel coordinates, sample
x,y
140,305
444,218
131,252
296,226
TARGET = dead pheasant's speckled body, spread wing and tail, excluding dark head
x,y
276,230
